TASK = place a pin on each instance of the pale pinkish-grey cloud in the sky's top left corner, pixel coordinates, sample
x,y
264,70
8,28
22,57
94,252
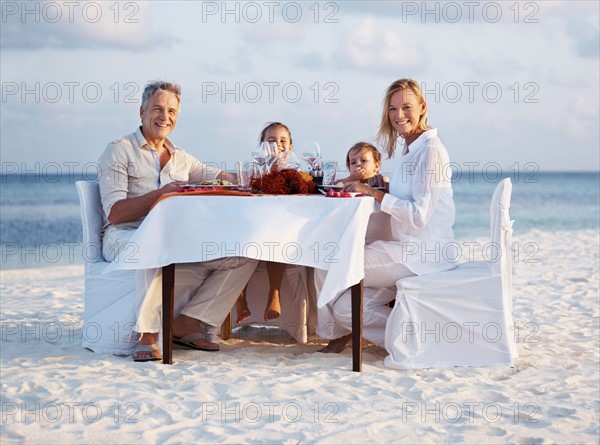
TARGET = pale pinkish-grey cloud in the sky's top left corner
x,y
75,25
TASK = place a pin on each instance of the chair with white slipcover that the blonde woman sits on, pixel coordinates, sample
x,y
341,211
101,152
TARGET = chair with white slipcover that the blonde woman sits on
x,y
463,316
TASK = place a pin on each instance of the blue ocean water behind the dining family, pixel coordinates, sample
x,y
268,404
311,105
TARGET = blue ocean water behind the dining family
x,y
40,222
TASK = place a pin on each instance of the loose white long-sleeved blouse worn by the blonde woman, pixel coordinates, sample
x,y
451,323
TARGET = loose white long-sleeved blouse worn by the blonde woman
x,y
421,207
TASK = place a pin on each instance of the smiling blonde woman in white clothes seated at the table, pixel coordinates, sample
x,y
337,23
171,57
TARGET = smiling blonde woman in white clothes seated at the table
x,y
421,209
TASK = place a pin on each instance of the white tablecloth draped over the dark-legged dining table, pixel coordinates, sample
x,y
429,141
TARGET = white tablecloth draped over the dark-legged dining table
x,y
315,231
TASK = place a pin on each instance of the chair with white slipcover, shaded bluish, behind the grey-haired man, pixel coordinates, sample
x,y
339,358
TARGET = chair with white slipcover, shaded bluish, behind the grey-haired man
x,y
109,311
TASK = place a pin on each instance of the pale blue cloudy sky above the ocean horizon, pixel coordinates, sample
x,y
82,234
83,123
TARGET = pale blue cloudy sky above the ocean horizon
x,y
511,86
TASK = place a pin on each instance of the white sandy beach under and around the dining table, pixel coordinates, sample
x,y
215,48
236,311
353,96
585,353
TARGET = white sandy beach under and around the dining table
x,y
258,391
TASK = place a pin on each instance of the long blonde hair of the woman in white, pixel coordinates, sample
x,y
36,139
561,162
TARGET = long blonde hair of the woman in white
x,y
387,134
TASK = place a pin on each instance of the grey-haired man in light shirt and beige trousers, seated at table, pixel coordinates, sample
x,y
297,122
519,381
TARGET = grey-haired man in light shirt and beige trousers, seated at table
x,y
135,171
